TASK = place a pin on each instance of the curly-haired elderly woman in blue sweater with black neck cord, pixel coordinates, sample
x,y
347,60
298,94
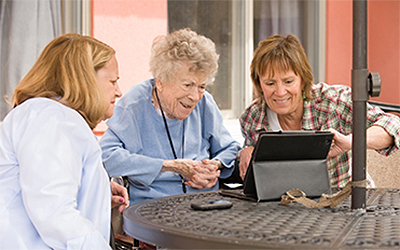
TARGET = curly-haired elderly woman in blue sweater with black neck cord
x,y
166,134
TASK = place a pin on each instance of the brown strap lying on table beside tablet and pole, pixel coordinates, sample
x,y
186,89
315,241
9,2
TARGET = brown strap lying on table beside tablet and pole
x,y
296,195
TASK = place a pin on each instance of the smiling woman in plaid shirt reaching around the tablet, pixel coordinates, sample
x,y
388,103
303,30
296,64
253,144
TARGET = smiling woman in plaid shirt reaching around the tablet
x,y
287,99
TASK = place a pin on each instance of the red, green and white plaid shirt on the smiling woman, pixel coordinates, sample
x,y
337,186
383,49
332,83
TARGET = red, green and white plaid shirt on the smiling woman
x,y
331,108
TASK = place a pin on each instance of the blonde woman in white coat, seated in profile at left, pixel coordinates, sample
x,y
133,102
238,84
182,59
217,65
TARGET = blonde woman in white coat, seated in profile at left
x,y
55,193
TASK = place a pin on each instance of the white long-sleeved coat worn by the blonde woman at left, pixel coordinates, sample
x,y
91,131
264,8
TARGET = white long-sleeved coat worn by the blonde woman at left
x,y
54,191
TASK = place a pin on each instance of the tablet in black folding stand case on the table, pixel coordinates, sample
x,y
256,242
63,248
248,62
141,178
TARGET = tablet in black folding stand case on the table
x,y
287,160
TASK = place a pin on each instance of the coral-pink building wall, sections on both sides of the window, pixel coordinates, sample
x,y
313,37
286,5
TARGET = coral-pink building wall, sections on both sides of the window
x,y
129,26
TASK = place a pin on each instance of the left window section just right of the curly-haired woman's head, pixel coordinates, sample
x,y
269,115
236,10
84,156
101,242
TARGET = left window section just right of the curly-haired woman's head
x,y
222,21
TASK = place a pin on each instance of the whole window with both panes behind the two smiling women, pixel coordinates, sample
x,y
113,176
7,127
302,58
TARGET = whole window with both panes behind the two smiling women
x,y
236,27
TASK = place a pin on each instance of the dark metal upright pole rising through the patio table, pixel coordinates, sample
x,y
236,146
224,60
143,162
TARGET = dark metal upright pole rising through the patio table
x,y
360,96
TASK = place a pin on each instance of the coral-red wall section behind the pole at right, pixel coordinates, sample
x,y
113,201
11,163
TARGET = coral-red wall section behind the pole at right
x,y
383,44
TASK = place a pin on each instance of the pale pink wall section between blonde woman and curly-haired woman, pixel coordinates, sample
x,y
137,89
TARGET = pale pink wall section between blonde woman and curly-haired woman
x,y
129,26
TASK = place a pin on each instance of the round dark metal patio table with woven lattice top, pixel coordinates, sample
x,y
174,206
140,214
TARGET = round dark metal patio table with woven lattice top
x,y
170,222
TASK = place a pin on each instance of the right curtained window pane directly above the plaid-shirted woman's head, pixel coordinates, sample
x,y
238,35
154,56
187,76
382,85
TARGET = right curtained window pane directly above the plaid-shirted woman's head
x,y
305,19
